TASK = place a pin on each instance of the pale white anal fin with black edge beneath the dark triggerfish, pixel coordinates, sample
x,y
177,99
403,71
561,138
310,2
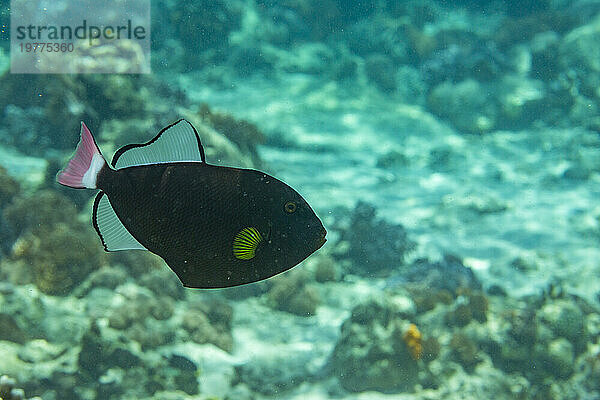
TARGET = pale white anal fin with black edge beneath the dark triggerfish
x,y
112,232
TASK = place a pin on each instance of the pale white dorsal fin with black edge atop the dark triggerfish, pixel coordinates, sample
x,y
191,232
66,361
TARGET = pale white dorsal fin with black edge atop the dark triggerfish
x,y
175,143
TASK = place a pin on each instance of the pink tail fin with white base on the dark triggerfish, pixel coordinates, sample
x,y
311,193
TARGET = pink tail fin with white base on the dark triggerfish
x,y
83,167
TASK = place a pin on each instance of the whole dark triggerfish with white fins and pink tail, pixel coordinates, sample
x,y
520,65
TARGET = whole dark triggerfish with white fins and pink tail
x,y
214,226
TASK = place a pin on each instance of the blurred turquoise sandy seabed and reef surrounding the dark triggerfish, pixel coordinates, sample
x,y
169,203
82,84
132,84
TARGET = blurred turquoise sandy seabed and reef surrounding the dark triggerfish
x,y
451,148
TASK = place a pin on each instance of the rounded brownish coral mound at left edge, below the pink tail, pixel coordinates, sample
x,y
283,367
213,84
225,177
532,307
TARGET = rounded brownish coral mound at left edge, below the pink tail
x,y
43,242
